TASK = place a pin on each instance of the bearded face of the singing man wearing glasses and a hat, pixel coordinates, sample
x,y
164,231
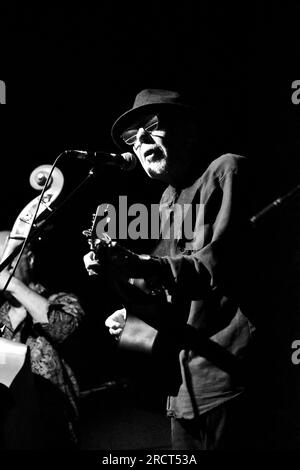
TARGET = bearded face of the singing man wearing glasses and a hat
x,y
160,143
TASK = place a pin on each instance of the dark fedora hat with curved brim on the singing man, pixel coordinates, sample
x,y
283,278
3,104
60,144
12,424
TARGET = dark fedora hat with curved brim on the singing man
x,y
147,101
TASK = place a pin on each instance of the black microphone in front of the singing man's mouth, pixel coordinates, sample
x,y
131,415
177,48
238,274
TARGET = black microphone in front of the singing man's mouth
x,y
125,161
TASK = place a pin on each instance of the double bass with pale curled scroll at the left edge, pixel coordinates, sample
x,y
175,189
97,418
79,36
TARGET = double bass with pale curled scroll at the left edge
x,y
21,425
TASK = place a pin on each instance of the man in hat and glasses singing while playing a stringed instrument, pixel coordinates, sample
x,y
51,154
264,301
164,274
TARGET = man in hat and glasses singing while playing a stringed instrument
x,y
204,275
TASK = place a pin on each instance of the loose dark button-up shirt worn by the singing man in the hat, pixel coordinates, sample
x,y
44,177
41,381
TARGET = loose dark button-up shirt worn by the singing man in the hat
x,y
207,272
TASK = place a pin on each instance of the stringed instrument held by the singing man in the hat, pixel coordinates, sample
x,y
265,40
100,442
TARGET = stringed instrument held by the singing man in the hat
x,y
147,330
